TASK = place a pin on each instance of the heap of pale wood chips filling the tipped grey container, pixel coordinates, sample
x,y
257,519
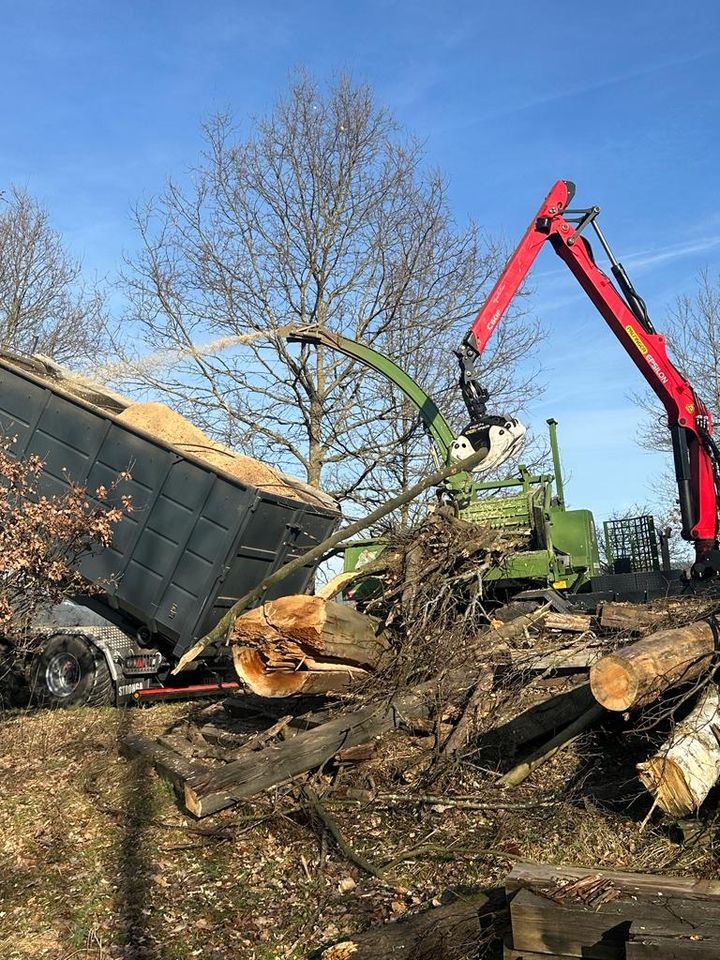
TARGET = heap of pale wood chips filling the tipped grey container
x,y
171,427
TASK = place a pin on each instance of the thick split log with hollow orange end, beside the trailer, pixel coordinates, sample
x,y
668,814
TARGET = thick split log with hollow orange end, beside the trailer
x,y
301,644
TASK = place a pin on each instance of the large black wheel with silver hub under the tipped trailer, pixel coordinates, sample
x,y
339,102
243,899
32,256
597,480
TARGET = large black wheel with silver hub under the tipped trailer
x,y
71,672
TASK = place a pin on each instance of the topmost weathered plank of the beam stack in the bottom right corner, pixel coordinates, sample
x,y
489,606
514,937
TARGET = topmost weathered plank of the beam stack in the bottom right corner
x,y
542,877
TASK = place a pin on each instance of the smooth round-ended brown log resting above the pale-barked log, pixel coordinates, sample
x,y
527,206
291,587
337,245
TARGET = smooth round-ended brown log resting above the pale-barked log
x,y
639,673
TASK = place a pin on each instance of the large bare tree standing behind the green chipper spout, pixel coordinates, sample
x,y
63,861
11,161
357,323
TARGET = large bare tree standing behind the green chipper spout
x,y
322,215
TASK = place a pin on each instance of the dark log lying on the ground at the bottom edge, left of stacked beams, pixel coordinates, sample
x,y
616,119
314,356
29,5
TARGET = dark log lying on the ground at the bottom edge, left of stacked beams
x,y
443,933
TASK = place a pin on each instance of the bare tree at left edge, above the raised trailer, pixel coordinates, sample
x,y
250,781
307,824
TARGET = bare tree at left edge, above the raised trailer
x,y
44,305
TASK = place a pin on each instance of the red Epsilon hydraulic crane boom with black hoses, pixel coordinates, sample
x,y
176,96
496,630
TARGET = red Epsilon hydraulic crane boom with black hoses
x,y
690,422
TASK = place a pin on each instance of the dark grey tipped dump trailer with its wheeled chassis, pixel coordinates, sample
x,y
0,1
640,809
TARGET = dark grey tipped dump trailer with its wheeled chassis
x,y
196,539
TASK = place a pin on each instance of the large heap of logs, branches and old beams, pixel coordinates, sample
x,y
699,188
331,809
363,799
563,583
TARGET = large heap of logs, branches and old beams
x,y
430,702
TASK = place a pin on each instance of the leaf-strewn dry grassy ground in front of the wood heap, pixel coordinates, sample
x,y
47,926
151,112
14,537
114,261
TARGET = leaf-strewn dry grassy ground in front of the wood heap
x,y
99,860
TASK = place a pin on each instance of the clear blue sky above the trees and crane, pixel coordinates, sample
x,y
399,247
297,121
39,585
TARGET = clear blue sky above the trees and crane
x,y
102,101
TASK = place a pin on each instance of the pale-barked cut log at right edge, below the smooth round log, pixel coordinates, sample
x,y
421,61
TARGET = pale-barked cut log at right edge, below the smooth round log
x,y
687,766
